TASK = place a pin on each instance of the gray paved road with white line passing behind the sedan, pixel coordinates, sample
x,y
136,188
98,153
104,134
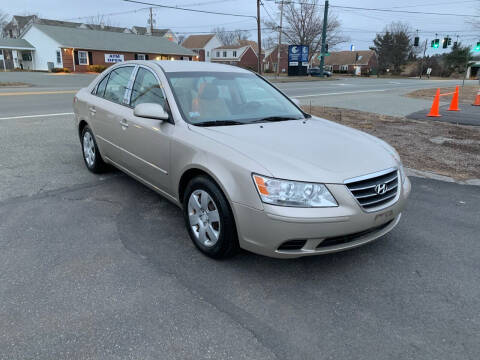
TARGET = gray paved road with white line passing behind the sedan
x,y
366,94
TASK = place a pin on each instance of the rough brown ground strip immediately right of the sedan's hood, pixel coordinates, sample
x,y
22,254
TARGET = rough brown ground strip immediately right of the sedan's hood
x,y
441,148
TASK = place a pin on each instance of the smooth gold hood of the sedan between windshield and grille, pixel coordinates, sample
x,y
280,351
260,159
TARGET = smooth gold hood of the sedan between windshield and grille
x,y
314,150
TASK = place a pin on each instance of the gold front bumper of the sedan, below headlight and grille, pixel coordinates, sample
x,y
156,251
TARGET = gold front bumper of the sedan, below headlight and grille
x,y
263,232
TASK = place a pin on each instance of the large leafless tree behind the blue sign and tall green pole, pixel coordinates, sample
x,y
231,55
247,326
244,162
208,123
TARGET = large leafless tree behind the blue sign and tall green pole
x,y
303,24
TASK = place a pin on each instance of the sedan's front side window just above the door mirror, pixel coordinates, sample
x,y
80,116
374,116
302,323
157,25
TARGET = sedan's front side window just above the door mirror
x,y
146,89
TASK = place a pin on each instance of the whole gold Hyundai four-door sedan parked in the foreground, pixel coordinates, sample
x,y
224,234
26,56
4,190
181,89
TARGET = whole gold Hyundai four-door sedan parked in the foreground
x,y
246,165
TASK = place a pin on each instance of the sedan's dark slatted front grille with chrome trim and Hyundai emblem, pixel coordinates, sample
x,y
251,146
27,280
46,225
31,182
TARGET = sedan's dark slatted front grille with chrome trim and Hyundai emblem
x,y
363,189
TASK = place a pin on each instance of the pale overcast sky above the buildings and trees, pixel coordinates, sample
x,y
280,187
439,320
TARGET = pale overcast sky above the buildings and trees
x,y
359,26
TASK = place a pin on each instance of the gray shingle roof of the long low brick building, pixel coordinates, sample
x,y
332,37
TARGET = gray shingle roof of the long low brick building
x,y
112,41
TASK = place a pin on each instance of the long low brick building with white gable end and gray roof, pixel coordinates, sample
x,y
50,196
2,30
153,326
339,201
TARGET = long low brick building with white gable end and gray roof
x,y
77,48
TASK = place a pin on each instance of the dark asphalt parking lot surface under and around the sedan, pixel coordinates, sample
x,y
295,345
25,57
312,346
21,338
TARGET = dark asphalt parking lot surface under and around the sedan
x,y
100,267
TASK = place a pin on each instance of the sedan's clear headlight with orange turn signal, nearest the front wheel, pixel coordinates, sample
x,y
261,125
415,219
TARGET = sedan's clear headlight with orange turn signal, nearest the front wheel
x,y
293,193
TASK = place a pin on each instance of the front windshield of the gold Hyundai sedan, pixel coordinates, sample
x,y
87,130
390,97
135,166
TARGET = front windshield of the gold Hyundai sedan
x,y
221,98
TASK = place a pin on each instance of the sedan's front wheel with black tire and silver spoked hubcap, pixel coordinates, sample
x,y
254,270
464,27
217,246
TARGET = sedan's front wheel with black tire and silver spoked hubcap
x,y
209,219
